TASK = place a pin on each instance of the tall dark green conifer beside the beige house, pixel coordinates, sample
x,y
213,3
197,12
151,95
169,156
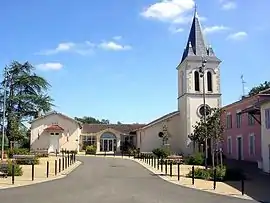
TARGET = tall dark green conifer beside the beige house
x,y
26,94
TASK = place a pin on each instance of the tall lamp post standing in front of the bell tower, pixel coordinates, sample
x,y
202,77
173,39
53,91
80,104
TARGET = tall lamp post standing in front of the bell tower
x,y
202,74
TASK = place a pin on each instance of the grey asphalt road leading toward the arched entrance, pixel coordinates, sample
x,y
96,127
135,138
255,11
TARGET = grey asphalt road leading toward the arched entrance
x,y
107,180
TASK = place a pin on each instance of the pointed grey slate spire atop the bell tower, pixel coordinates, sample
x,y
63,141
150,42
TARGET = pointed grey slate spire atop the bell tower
x,y
195,39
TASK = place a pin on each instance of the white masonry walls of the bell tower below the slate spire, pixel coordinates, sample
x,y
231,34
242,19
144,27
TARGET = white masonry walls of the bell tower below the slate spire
x,y
190,99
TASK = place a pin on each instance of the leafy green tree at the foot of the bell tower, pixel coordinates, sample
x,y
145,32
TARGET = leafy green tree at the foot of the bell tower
x,y
214,128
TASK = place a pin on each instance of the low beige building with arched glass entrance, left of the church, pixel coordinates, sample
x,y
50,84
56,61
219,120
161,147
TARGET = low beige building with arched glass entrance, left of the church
x,y
55,131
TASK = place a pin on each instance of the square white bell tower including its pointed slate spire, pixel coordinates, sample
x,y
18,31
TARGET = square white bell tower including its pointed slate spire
x,y
198,82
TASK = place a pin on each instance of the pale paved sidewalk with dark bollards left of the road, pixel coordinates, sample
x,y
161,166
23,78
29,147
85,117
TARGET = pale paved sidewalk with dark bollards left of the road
x,y
40,172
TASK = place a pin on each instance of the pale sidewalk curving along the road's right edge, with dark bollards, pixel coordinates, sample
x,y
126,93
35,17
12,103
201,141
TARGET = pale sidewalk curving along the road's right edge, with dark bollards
x,y
207,186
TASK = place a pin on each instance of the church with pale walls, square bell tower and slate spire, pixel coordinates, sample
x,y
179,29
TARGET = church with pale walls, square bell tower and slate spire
x,y
198,90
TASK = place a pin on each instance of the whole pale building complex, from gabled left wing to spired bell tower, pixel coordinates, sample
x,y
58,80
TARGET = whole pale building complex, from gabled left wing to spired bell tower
x,y
198,76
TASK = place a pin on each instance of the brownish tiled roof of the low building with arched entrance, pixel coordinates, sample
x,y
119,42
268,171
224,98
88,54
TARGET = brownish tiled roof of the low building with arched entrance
x,y
123,128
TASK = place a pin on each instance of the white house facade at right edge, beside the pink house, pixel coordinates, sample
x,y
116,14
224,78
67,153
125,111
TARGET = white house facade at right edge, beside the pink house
x,y
265,136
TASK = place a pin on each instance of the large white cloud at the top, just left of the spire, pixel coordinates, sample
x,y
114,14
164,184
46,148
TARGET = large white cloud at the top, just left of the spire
x,y
170,10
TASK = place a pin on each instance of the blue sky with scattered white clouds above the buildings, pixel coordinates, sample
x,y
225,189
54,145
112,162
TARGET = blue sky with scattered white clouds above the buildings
x,y
116,59
